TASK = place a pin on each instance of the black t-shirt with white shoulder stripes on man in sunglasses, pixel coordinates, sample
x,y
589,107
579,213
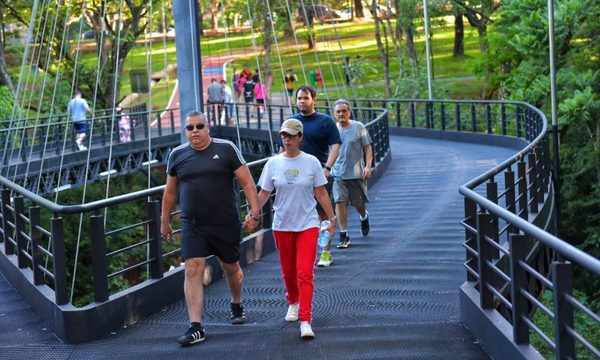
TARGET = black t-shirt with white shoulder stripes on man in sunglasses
x,y
207,192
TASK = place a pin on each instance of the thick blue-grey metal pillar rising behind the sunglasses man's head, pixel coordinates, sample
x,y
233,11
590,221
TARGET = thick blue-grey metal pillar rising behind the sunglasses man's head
x,y
189,70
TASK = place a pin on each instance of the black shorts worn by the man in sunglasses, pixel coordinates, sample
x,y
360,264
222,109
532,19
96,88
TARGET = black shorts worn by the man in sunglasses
x,y
201,240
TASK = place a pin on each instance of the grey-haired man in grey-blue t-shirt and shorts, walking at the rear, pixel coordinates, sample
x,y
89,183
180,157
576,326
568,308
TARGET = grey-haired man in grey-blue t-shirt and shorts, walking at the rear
x,y
351,171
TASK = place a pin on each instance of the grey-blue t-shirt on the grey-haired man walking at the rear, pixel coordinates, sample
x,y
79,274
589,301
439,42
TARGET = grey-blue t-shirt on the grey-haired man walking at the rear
x,y
350,162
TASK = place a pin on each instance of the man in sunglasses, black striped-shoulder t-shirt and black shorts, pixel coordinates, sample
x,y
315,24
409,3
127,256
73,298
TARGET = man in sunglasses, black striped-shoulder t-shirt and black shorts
x,y
200,175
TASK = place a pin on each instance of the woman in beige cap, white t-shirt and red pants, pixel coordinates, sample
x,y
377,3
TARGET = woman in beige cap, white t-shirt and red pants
x,y
298,179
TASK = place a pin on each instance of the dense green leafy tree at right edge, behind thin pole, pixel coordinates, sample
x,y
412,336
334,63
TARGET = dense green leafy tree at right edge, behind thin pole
x,y
518,61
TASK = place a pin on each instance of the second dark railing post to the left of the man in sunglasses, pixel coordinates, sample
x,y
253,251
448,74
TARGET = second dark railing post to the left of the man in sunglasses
x,y
99,260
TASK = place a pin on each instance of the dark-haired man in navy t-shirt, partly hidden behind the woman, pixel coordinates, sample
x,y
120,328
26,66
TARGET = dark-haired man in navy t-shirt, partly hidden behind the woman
x,y
321,139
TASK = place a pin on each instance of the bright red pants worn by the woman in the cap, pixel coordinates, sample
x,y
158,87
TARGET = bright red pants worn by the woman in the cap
x,y
297,251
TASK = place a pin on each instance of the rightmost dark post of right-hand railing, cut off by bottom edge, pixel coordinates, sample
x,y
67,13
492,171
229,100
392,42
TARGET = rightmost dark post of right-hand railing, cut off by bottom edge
x,y
562,280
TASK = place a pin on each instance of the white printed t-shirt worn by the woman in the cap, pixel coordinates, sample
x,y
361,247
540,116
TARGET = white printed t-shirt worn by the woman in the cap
x,y
295,180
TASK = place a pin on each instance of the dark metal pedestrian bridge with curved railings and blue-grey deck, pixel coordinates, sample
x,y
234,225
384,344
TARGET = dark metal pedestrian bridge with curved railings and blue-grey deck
x,y
462,215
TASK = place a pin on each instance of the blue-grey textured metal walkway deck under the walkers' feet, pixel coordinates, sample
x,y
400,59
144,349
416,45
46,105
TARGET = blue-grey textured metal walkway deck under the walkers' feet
x,y
391,295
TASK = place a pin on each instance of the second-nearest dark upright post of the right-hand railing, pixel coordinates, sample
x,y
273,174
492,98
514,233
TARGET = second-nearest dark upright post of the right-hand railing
x,y
518,251
